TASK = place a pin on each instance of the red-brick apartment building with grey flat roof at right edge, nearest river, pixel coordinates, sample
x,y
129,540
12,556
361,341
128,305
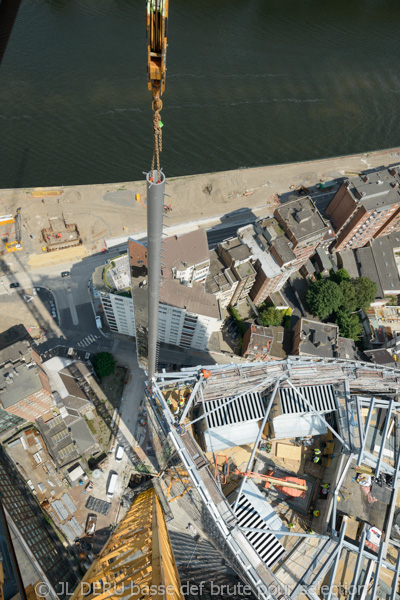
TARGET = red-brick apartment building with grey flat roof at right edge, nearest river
x,y
365,207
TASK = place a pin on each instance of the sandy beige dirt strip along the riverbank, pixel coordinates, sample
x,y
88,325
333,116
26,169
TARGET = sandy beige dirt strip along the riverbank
x,y
111,210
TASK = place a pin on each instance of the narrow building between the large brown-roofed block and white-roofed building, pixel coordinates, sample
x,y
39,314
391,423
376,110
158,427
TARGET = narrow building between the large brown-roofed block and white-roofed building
x,y
237,256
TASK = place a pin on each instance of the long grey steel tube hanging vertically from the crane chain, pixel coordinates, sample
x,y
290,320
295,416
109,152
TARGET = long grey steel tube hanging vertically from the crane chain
x,y
155,212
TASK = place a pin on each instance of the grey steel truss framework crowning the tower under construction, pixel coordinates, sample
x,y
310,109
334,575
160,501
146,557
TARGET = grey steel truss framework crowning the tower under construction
x,y
231,382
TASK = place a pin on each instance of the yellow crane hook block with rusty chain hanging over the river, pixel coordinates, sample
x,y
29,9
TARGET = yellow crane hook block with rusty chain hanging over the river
x,y
157,20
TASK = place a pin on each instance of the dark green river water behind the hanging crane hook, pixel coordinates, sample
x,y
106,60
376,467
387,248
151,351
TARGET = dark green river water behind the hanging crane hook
x,y
249,83
